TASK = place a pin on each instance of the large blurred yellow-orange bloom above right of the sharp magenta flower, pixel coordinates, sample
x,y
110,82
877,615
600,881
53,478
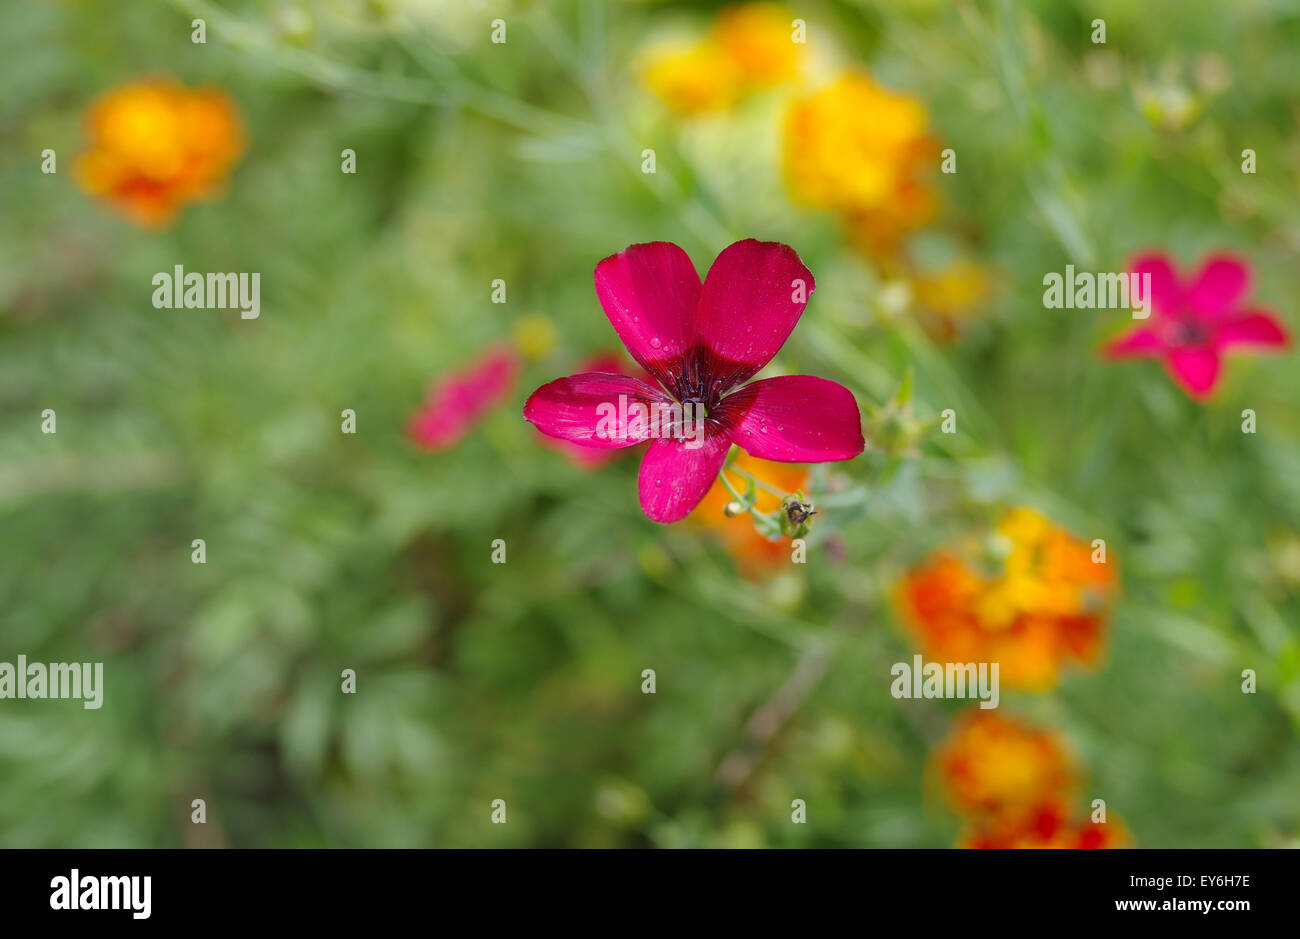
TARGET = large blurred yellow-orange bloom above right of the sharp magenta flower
x,y
864,152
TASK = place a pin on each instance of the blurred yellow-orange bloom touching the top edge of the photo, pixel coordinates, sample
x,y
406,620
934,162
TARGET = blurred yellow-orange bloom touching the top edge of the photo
x,y
749,47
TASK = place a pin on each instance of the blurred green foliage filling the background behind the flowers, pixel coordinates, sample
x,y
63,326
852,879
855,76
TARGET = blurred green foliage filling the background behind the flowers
x,y
522,682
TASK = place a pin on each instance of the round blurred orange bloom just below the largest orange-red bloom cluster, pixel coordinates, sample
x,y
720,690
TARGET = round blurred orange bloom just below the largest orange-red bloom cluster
x,y
1002,768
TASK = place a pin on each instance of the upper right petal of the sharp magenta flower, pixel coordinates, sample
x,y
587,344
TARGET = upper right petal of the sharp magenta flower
x,y
753,296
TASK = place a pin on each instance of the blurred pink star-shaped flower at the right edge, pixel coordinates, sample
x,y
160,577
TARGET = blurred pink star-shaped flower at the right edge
x,y
1194,324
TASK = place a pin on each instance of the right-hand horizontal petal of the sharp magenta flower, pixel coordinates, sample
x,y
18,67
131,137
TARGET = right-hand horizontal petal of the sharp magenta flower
x,y
795,419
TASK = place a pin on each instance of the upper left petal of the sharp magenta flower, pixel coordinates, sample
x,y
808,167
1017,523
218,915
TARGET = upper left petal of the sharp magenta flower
x,y
651,295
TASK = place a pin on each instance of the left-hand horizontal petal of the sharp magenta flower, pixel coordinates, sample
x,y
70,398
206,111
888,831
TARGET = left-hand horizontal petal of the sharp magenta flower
x,y
584,409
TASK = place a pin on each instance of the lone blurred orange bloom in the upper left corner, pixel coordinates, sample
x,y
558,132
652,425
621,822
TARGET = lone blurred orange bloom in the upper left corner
x,y
157,146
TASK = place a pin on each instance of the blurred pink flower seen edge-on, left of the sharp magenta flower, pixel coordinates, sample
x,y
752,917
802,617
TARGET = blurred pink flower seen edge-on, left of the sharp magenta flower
x,y
460,400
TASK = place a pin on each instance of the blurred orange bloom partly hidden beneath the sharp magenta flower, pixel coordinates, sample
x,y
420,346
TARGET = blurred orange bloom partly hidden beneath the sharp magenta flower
x,y
755,555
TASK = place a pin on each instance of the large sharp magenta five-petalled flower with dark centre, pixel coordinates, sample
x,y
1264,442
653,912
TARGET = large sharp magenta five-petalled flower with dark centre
x,y
701,344
